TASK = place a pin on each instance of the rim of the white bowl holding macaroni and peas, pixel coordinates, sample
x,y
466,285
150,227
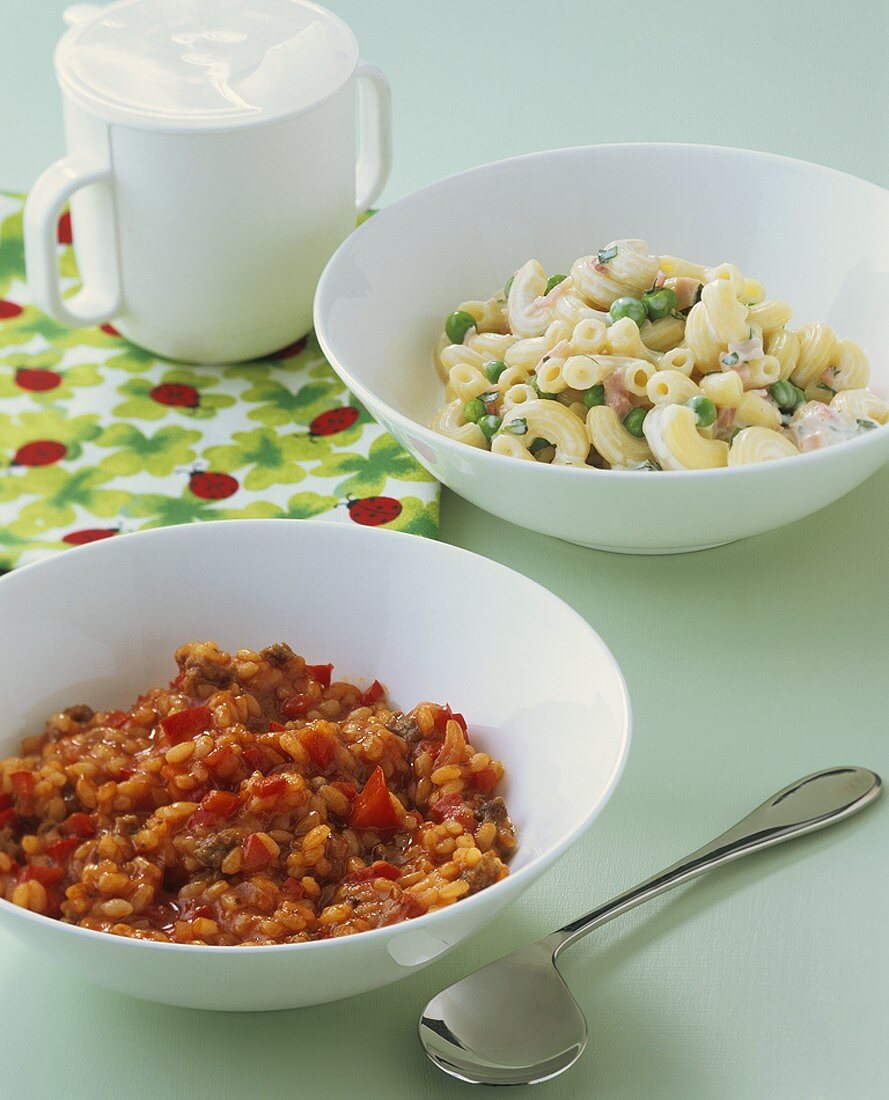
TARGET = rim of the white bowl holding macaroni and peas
x,y
326,295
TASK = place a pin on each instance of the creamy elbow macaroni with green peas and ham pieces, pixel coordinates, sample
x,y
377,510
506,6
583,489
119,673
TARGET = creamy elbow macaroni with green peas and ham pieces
x,y
635,361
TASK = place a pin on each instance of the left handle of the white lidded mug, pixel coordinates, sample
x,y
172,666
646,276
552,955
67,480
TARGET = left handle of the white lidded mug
x,y
94,304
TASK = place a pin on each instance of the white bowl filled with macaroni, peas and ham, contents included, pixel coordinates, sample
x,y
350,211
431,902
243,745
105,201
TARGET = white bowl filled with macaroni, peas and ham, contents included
x,y
688,333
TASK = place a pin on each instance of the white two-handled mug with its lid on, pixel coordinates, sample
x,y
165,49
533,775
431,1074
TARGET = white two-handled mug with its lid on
x,y
211,171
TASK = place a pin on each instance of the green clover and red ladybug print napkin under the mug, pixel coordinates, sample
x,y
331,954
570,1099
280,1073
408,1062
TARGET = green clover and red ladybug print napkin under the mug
x,y
100,438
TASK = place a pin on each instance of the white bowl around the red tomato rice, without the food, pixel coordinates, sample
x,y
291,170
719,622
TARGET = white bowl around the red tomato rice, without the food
x,y
542,692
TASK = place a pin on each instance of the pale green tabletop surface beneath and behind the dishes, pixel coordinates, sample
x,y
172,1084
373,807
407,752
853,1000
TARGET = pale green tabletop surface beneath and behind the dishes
x,y
748,666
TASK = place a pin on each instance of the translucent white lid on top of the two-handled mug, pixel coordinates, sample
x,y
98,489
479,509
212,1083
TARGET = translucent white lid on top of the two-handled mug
x,y
203,64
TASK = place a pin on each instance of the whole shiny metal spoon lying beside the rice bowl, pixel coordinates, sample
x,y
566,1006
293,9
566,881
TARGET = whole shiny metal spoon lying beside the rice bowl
x,y
515,1022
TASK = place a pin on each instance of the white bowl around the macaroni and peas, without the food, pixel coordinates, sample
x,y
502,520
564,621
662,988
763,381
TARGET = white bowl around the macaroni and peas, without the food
x,y
815,237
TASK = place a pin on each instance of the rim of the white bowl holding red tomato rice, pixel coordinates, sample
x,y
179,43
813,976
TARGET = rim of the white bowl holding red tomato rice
x,y
426,922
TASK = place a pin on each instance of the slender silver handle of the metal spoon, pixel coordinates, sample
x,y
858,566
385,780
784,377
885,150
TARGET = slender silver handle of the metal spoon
x,y
811,804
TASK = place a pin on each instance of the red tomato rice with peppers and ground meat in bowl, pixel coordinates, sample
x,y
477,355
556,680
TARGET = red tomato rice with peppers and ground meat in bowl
x,y
254,801
